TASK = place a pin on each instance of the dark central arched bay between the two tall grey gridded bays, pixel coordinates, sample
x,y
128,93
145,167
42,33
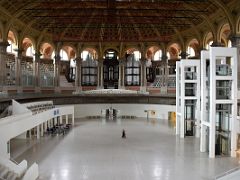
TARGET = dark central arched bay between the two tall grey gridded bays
x,y
110,67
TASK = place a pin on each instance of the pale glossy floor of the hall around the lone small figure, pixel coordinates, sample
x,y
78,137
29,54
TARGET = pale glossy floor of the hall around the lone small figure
x,y
96,151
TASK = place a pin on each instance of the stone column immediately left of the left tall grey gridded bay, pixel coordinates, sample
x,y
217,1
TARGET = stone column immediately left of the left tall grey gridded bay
x,y
78,75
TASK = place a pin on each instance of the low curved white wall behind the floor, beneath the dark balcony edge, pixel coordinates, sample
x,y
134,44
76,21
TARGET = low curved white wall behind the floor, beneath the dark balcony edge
x,y
161,111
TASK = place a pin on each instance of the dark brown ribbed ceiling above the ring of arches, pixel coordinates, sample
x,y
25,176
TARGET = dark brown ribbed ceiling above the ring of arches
x,y
112,20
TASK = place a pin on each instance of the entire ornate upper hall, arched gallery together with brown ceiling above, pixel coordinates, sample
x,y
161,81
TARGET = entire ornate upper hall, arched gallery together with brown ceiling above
x,y
134,45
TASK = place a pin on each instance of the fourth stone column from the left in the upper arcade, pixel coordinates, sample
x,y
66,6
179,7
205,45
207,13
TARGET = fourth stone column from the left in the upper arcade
x,y
57,73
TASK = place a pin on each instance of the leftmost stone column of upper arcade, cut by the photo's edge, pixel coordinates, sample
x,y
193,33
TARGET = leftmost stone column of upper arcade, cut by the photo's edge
x,y
3,52
